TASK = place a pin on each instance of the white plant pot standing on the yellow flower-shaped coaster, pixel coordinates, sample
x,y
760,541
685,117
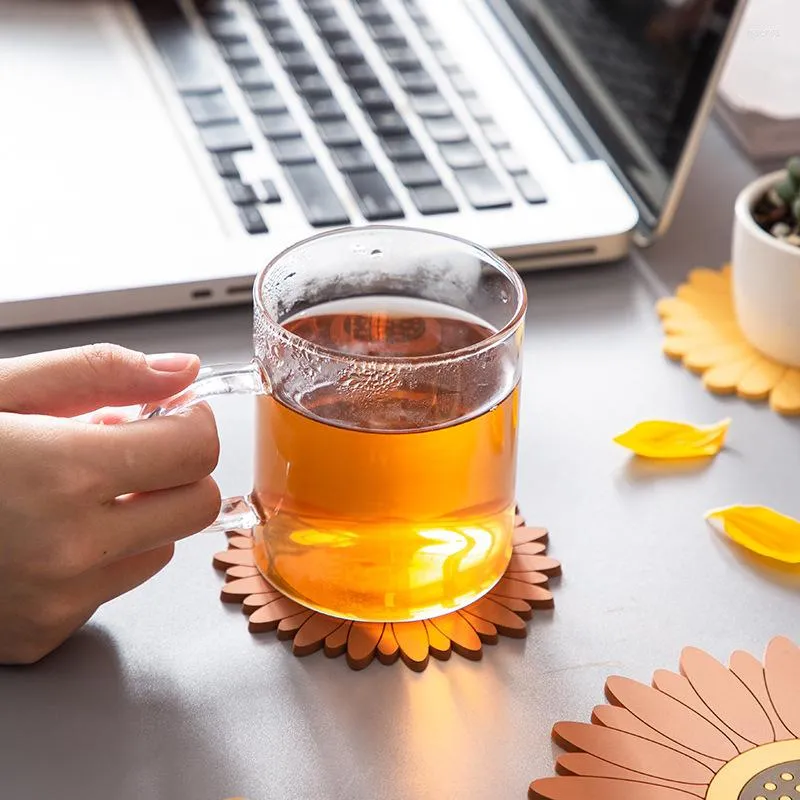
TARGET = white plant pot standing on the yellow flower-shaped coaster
x,y
766,280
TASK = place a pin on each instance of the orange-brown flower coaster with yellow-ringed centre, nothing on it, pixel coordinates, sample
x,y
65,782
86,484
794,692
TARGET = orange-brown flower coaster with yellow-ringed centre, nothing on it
x,y
715,732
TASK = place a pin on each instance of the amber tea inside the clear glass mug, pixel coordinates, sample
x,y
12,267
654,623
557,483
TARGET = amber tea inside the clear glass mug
x,y
388,505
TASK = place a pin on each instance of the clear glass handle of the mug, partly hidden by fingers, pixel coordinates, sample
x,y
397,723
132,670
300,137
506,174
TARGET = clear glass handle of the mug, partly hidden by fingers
x,y
235,512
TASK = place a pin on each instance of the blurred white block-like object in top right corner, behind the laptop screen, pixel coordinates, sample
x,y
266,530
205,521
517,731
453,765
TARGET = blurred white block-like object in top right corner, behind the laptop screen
x,y
759,94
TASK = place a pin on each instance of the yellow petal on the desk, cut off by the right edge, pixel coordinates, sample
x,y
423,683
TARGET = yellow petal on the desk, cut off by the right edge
x,y
761,530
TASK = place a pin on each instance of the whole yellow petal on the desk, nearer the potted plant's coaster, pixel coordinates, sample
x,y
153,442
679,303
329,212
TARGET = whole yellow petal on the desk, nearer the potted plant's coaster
x,y
661,439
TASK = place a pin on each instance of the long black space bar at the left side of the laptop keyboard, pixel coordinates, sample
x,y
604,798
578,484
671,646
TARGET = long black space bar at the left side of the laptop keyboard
x,y
188,58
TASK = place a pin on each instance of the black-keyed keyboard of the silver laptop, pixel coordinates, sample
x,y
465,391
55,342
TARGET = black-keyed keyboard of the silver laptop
x,y
224,137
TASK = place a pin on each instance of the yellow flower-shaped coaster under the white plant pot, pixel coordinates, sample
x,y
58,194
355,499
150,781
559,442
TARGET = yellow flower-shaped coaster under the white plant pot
x,y
702,332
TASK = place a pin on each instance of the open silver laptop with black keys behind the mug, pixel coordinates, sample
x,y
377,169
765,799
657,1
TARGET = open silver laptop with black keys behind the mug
x,y
155,153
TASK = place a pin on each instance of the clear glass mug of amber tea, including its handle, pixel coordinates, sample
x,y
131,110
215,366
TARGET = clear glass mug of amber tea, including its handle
x,y
387,366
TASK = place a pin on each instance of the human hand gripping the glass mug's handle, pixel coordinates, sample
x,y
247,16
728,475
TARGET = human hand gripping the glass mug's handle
x,y
90,511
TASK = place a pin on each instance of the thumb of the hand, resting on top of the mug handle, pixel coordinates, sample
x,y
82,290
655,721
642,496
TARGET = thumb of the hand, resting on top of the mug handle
x,y
65,383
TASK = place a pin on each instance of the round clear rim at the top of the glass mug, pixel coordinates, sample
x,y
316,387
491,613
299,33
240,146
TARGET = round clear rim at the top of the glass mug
x,y
451,355
